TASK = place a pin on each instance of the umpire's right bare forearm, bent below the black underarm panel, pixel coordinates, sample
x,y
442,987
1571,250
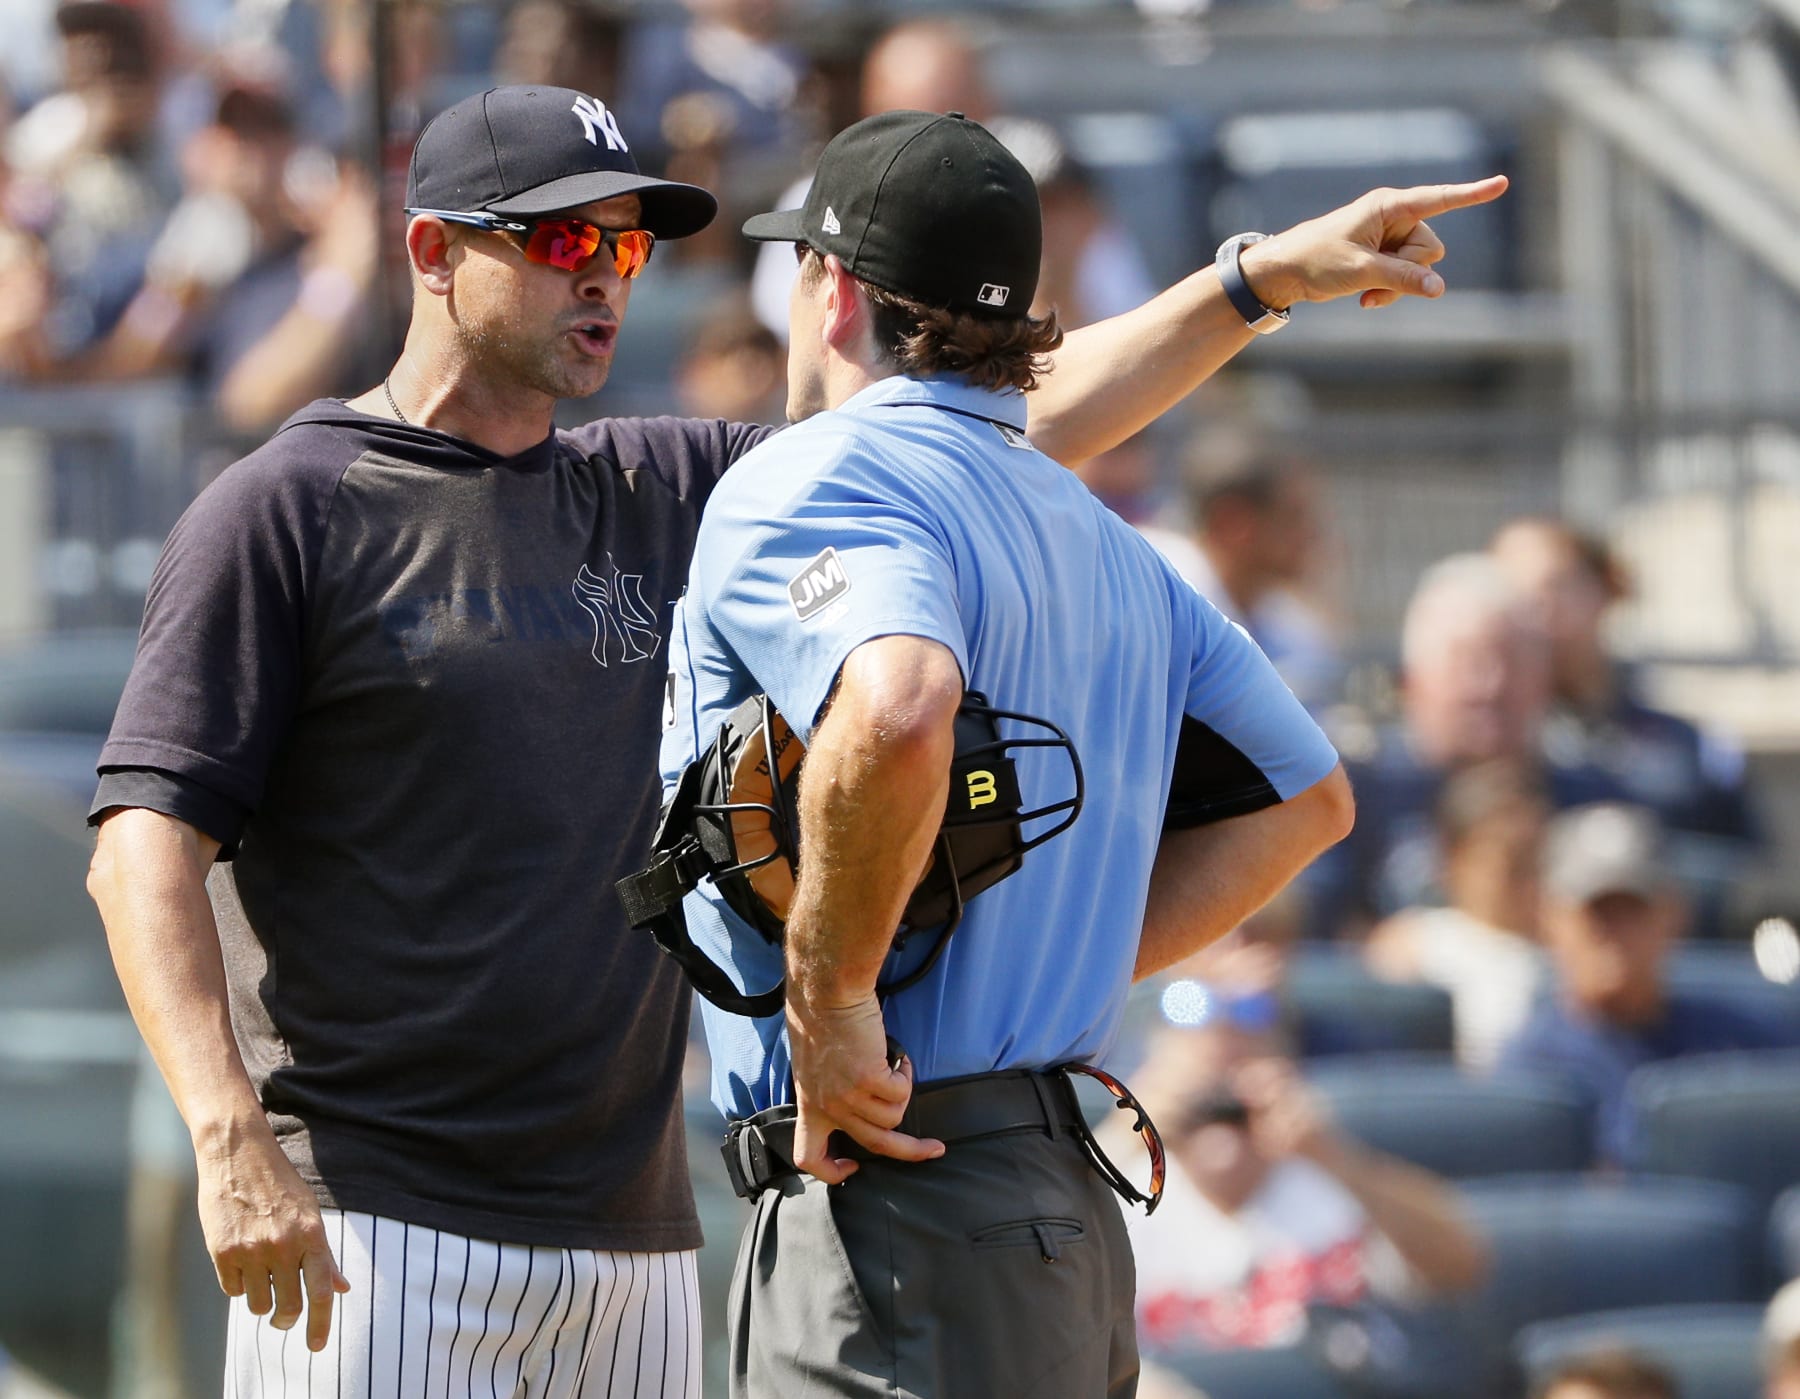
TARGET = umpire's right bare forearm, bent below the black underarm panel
x,y
1210,880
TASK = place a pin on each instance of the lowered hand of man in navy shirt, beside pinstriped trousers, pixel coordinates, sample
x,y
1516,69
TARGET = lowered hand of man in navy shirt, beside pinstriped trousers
x,y
265,1232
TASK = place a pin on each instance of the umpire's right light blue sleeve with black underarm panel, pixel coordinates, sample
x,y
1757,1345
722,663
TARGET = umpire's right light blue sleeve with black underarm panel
x,y
1246,743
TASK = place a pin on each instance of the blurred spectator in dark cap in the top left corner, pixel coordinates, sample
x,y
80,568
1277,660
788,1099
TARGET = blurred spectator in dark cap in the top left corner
x,y
82,201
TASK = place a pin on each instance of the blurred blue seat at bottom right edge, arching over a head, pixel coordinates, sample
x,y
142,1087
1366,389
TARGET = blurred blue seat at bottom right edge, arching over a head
x,y
1711,1353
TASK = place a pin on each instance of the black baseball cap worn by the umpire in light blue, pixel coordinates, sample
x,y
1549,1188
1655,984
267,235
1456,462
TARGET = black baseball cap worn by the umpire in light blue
x,y
931,208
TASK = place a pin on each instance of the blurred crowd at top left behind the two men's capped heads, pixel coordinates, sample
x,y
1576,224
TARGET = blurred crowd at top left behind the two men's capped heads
x,y
208,190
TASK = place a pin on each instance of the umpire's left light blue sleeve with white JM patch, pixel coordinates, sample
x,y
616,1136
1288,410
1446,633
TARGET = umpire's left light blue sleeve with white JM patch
x,y
796,595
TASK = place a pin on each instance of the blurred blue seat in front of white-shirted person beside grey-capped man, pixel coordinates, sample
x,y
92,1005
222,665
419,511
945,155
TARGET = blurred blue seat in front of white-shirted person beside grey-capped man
x,y
1425,1110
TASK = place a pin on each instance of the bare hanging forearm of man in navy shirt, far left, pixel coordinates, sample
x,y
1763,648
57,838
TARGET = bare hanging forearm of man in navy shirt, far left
x,y
148,880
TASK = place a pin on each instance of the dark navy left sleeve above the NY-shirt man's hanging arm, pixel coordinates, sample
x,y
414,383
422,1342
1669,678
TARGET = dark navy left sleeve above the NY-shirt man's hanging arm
x,y
217,676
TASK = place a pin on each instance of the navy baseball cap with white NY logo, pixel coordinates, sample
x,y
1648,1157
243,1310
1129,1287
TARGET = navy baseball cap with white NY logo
x,y
534,150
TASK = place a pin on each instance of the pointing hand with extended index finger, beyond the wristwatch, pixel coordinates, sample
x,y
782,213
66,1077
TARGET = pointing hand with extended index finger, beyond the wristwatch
x,y
1378,248
